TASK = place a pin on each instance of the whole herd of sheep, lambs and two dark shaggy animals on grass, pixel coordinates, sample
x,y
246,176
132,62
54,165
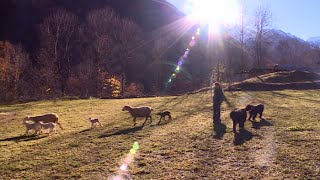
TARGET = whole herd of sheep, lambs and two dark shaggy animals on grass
x,y
48,122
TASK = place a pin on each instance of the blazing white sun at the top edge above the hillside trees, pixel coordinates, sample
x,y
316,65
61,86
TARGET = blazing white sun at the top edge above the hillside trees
x,y
214,12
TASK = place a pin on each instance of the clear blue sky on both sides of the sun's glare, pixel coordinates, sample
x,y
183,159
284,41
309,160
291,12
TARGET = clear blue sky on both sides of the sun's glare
x,y
300,18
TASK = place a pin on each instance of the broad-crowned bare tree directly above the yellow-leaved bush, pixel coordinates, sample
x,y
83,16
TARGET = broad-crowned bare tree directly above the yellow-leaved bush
x,y
114,41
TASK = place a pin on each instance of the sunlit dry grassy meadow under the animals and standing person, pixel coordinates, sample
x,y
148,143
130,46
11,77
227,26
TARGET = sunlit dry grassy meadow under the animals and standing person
x,y
286,144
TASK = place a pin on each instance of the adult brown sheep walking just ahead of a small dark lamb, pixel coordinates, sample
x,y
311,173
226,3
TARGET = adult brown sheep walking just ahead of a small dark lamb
x,y
135,112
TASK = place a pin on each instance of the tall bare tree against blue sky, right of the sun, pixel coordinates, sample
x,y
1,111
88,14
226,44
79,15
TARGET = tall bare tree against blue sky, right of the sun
x,y
262,23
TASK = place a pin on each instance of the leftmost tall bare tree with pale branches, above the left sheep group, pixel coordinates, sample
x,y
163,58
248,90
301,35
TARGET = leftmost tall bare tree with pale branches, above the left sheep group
x,y
55,55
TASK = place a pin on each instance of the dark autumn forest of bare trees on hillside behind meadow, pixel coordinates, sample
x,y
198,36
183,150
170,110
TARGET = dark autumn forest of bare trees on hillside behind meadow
x,y
102,53
